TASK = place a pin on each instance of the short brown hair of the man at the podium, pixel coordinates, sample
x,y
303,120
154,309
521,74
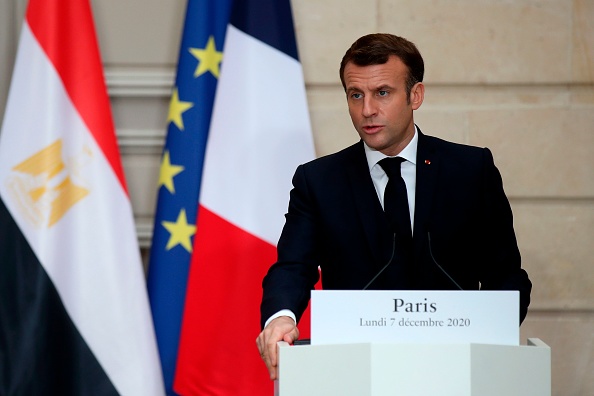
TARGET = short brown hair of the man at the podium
x,y
376,49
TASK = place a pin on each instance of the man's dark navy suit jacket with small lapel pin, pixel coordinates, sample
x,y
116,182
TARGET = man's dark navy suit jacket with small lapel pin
x,y
335,221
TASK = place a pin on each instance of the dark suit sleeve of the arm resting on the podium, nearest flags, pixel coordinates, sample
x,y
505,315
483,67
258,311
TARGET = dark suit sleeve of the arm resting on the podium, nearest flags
x,y
290,280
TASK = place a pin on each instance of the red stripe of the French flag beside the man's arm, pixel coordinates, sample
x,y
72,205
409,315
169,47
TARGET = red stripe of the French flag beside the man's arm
x,y
221,315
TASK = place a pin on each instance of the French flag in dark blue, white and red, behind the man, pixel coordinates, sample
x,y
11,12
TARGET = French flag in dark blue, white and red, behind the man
x,y
259,133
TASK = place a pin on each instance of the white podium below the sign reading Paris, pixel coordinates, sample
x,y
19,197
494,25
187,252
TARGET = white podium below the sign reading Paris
x,y
414,369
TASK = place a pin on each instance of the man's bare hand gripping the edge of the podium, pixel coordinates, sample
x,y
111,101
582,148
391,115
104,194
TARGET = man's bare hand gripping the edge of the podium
x,y
282,328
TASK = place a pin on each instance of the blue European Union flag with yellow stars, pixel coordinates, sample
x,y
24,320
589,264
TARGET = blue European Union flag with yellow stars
x,y
189,118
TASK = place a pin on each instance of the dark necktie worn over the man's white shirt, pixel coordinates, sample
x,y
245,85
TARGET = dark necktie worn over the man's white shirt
x,y
396,200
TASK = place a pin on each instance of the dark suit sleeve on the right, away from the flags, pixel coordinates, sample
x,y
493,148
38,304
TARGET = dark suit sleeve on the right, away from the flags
x,y
500,249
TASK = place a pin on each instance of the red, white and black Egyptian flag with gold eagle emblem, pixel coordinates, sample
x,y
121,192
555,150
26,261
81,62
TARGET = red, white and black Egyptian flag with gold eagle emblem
x,y
74,311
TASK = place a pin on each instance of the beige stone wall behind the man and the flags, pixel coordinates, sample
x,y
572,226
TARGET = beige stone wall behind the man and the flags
x,y
516,76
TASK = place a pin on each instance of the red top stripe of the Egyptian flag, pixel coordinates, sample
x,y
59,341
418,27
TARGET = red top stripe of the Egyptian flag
x,y
77,61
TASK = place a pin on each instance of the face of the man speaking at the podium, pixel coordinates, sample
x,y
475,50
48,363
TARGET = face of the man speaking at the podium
x,y
378,105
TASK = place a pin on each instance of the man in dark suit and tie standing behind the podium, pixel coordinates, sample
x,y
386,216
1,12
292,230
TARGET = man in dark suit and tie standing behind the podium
x,y
458,232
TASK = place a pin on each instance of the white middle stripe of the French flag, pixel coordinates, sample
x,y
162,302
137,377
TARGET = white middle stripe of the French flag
x,y
257,149
